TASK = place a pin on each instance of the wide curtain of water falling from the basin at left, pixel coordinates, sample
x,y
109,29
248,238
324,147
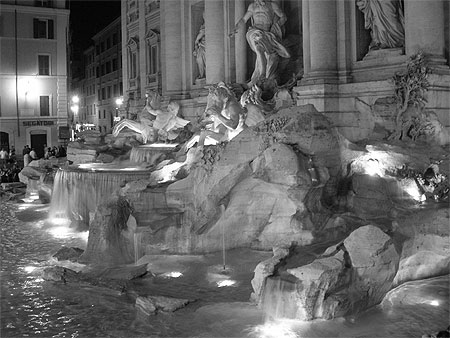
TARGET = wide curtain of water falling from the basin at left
x,y
77,190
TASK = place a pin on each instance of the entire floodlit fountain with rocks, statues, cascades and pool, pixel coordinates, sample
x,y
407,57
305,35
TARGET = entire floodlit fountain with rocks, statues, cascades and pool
x,y
261,217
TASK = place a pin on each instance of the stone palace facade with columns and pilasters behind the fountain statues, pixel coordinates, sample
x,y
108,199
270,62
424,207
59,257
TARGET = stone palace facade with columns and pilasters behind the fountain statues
x,y
332,57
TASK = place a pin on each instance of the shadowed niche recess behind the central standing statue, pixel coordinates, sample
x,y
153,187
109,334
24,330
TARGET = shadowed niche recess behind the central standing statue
x,y
292,40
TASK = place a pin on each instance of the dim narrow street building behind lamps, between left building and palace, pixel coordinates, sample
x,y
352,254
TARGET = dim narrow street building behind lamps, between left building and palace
x,y
101,85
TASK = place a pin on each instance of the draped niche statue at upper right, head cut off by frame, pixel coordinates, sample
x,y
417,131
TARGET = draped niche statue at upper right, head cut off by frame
x,y
385,20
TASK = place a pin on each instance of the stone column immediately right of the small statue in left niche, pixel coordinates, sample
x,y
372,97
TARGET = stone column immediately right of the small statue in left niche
x,y
214,34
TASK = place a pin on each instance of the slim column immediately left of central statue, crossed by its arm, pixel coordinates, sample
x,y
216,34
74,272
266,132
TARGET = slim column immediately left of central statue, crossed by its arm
x,y
240,45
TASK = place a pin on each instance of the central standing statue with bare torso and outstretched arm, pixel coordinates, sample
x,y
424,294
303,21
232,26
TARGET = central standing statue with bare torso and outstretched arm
x,y
264,38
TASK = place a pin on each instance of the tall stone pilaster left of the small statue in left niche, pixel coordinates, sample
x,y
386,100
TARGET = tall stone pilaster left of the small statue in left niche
x,y
171,46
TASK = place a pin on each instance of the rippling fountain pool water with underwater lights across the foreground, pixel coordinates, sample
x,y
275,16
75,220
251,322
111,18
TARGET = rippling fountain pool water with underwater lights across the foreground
x,y
31,306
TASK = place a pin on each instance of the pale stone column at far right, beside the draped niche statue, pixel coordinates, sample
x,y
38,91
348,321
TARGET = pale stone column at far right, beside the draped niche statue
x,y
424,27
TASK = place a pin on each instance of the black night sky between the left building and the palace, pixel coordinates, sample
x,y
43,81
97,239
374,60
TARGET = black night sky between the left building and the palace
x,y
89,17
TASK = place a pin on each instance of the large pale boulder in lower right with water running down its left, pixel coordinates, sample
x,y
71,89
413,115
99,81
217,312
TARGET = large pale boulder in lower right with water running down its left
x,y
347,278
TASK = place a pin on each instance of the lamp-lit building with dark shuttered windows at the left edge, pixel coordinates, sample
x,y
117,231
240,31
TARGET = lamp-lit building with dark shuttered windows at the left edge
x,y
33,73
